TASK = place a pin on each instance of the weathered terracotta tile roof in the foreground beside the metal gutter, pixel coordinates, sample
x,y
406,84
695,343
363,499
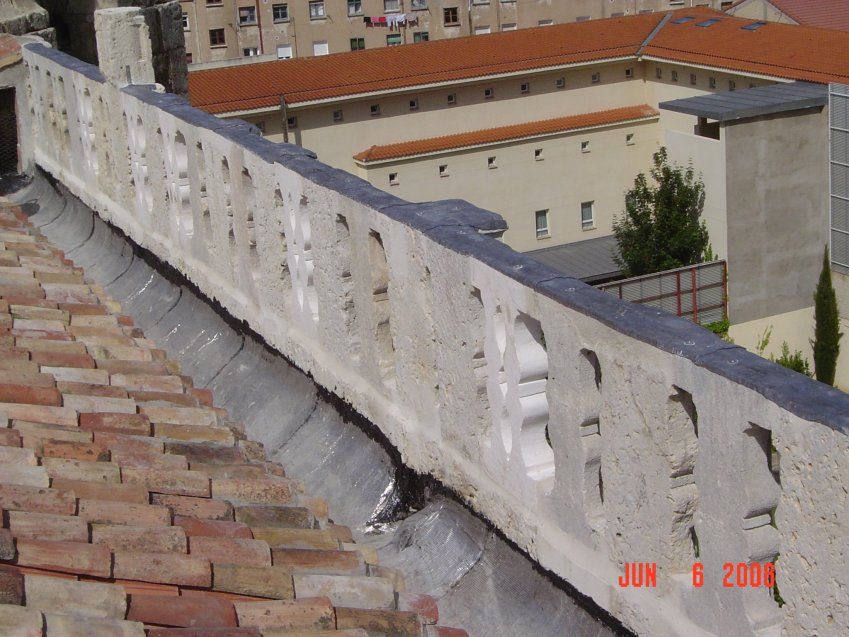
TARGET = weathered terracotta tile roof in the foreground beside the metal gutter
x,y
132,503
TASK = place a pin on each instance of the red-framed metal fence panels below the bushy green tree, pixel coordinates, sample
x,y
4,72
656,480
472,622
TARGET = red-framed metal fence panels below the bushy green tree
x,y
697,292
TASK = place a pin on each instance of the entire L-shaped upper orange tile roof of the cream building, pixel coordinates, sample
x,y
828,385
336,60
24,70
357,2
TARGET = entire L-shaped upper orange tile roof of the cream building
x,y
786,51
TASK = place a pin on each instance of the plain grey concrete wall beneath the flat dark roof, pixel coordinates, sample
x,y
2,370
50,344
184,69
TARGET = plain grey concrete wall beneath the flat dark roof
x,y
777,198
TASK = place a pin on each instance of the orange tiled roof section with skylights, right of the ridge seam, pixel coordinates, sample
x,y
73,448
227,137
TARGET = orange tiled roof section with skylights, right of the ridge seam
x,y
778,50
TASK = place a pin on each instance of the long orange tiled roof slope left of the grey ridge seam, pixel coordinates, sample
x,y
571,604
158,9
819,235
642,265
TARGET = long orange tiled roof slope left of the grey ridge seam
x,y
303,79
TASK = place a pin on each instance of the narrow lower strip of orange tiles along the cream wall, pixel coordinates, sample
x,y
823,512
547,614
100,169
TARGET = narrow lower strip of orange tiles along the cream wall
x,y
506,133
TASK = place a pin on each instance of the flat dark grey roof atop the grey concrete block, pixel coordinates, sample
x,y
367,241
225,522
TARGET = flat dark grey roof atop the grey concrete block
x,y
752,102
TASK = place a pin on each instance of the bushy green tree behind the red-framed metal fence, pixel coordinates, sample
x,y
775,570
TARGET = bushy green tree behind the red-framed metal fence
x,y
662,227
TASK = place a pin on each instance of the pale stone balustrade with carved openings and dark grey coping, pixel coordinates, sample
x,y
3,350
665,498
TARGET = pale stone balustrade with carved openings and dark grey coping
x,y
591,432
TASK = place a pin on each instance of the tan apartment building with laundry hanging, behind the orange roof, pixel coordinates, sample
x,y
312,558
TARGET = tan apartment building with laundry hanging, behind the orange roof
x,y
217,30
